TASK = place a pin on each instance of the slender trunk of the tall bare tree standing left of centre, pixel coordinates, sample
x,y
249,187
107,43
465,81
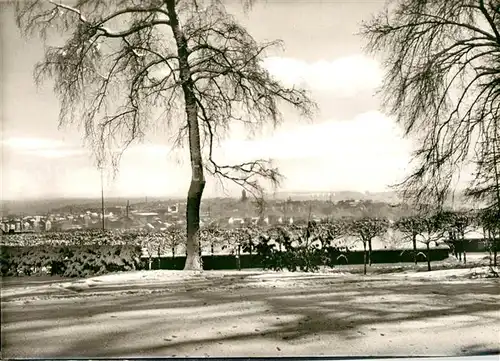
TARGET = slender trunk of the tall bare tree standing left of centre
x,y
193,259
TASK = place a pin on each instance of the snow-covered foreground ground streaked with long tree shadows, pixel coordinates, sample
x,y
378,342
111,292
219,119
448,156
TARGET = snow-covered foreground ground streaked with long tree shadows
x,y
254,313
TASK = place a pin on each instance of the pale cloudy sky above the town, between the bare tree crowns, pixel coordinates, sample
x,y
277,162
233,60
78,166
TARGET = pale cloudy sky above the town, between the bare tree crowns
x,y
350,145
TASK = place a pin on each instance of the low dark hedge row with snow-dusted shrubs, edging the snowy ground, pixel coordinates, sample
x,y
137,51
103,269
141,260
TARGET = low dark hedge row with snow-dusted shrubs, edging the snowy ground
x,y
95,259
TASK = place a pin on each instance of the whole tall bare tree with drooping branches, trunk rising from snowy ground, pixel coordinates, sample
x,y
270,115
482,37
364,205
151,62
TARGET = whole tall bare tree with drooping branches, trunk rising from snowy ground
x,y
125,67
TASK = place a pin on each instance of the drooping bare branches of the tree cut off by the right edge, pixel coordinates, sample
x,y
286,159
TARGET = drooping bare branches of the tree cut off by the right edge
x,y
442,84
